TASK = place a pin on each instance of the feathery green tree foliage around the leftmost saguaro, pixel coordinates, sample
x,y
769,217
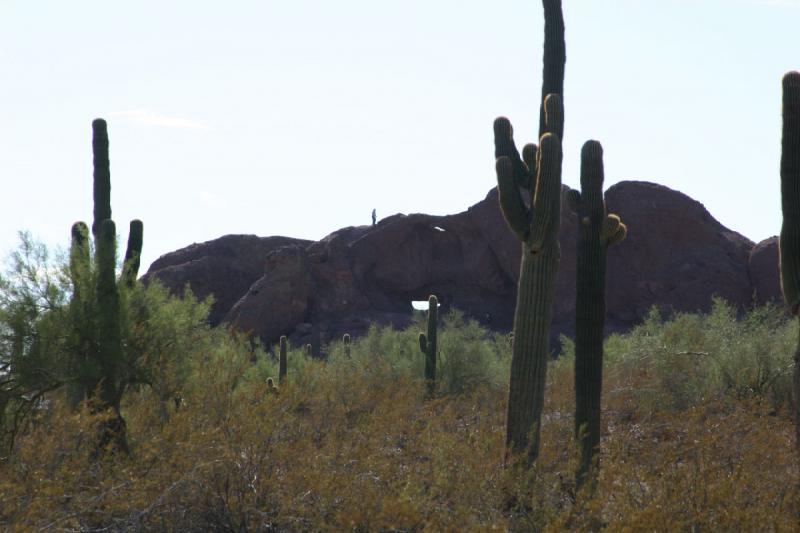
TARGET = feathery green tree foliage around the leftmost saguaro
x,y
46,334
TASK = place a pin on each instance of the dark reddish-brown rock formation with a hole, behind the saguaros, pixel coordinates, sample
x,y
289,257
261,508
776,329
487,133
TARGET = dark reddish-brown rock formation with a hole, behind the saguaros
x,y
676,256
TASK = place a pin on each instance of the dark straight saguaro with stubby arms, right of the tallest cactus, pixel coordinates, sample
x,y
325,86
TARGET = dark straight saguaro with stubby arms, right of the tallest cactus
x,y
596,232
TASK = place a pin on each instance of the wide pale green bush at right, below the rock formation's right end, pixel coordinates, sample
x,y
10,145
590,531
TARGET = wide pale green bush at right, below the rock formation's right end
x,y
692,357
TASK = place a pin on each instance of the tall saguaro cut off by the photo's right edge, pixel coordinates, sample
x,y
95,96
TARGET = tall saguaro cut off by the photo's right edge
x,y
790,203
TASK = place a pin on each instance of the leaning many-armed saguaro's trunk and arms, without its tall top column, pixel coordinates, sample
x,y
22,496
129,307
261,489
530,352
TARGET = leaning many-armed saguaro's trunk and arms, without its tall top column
x,y
536,224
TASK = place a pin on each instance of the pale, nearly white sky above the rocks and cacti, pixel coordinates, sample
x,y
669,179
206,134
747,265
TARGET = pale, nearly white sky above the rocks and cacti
x,y
299,117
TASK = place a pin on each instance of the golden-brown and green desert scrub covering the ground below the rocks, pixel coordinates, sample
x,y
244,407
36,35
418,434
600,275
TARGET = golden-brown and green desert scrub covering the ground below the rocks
x,y
697,435
